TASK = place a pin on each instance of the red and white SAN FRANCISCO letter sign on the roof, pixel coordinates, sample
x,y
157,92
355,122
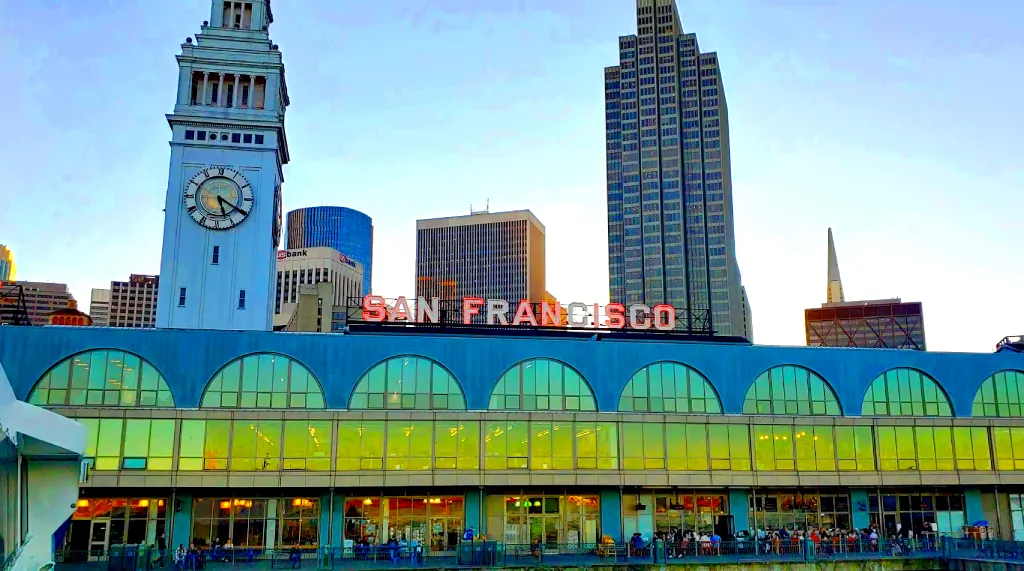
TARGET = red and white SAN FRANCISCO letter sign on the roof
x,y
471,312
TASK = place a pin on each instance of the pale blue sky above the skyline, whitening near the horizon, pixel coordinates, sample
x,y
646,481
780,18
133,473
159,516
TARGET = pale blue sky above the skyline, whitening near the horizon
x,y
898,123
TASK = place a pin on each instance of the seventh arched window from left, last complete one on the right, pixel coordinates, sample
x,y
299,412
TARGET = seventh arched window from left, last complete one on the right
x,y
906,392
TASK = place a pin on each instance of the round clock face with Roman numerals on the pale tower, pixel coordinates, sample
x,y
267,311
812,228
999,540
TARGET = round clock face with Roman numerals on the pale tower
x,y
219,198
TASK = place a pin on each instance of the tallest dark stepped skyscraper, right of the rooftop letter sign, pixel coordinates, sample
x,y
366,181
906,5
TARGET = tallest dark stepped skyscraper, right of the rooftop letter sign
x,y
670,189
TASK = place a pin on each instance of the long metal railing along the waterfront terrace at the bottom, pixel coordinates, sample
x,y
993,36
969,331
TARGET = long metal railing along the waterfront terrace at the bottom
x,y
498,555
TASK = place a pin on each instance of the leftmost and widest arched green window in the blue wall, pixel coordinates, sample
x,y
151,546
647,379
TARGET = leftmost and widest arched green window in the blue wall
x,y
103,378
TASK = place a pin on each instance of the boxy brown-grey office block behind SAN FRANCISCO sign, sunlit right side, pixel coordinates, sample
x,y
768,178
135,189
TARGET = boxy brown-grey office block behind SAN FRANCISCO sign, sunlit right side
x,y
488,255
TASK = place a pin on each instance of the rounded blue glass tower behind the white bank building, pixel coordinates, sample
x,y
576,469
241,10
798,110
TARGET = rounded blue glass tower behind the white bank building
x,y
345,230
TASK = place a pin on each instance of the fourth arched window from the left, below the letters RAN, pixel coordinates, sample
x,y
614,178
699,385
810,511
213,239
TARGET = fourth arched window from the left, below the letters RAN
x,y
542,385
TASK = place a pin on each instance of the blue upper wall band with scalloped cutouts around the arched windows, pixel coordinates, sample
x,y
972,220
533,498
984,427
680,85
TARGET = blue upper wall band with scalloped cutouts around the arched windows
x,y
189,359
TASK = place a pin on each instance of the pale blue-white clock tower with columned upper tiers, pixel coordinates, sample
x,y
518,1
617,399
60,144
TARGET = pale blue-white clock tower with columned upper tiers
x,y
223,216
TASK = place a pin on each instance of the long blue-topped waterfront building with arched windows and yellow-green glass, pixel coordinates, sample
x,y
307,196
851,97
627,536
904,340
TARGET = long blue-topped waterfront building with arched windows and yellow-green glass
x,y
277,440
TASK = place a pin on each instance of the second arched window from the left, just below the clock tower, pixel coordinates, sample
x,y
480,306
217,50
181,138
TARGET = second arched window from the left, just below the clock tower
x,y
264,381
